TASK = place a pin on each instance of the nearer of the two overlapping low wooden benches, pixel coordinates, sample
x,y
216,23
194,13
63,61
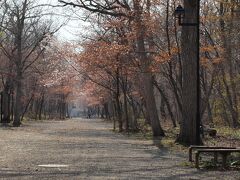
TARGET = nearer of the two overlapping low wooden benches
x,y
224,153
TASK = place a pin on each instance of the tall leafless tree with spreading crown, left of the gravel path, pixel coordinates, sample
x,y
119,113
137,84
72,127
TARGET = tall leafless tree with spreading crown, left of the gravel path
x,y
24,31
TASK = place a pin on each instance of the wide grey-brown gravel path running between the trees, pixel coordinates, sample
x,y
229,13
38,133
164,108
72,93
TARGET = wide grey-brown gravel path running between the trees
x,y
88,149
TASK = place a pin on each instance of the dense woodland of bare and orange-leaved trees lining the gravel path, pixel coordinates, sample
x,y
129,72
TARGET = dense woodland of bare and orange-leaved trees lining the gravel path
x,y
133,63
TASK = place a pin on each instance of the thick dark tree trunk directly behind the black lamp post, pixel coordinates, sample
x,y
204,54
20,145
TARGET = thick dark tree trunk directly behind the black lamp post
x,y
188,127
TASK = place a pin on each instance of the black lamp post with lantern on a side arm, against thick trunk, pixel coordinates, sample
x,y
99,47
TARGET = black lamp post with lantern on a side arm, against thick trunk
x,y
179,13
